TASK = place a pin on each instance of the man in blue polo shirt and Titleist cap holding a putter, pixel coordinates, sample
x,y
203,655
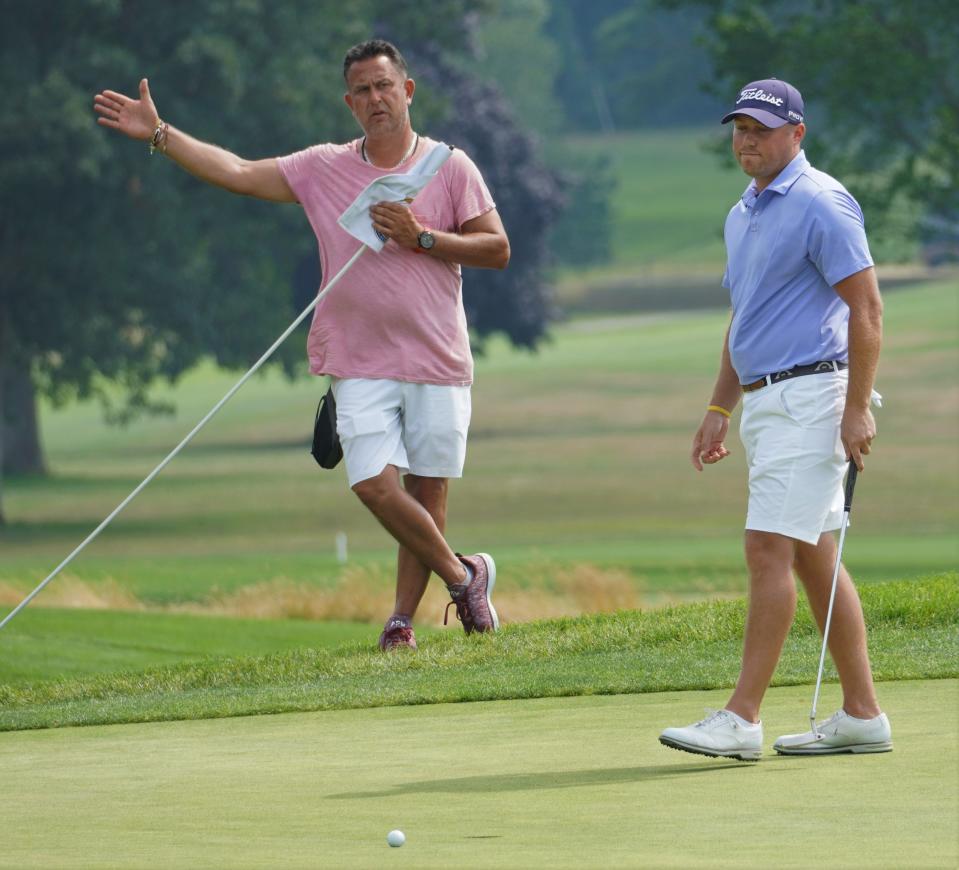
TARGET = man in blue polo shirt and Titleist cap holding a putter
x,y
801,350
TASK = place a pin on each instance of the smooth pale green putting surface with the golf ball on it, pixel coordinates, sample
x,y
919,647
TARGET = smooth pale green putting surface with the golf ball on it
x,y
565,782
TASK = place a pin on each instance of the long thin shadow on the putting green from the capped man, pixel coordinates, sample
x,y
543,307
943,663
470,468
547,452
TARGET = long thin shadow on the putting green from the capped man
x,y
539,781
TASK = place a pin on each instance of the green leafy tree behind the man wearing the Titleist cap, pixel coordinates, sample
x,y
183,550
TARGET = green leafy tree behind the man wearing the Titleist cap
x,y
881,84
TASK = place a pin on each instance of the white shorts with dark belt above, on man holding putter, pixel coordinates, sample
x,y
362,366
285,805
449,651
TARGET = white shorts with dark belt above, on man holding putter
x,y
795,455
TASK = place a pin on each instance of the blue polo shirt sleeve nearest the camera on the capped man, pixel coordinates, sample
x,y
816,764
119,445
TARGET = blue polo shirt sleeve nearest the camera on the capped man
x,y
836,242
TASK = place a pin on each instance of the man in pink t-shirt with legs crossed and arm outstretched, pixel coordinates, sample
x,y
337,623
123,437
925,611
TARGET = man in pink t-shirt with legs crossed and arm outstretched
x,y
392,333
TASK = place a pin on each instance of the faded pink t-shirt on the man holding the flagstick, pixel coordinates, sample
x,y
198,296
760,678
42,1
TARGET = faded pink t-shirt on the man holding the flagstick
x,y
394,314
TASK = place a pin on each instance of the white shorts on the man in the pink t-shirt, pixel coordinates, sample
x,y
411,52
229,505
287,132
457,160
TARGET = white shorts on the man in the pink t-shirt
x,y
419,428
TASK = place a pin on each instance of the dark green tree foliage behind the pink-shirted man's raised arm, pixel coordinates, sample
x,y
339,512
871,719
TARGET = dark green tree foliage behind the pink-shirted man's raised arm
x,y
119,268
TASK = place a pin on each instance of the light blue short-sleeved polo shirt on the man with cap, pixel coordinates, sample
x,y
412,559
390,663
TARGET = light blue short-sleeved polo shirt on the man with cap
x,y
785,250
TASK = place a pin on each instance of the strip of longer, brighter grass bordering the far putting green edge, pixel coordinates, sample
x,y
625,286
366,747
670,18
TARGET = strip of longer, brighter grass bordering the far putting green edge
x,y
913,635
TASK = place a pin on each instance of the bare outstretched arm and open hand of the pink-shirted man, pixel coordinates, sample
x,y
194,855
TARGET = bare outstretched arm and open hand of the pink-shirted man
x,y
139,119
